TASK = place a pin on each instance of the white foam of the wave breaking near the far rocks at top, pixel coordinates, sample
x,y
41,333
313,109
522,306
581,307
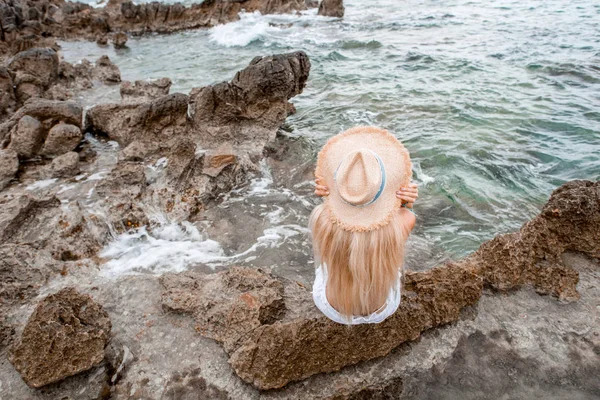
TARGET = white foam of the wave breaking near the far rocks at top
x,y
250,27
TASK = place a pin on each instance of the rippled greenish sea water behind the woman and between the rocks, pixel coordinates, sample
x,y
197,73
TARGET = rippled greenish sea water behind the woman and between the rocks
x,y
497,101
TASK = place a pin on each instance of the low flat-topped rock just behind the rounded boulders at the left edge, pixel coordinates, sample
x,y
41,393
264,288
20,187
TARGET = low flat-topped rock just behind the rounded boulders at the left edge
x,y
49,112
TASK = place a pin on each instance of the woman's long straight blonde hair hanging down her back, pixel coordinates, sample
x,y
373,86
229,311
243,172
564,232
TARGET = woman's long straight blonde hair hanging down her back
x,y
362,266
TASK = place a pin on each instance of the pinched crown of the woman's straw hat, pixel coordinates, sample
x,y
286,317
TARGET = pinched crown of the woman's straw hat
x,y
359,177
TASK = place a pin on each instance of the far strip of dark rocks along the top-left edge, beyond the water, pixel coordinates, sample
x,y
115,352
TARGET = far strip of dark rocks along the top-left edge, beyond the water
x,y
26,24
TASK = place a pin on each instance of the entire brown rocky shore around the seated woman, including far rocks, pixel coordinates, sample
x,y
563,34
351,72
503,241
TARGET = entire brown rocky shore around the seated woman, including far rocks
x,y
517,318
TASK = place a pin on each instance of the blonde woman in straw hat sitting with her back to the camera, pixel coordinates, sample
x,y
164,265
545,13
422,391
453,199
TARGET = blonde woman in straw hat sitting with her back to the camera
x,y
360,229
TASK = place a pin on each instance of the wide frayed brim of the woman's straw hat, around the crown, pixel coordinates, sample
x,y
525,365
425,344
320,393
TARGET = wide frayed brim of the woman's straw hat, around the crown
x,y
398,167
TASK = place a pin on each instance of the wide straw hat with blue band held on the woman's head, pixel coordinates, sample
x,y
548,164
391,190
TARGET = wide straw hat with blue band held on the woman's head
x,y
363,168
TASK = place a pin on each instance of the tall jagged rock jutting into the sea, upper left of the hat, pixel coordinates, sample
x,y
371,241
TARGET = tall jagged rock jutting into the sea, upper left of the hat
x,y
249,109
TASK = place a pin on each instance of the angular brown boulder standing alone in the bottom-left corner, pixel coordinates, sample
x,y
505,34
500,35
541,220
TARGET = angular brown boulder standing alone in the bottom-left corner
x,y
65,335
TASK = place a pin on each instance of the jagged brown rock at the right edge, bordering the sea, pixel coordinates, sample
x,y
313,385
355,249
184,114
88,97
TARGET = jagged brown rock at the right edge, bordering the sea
x,y
569,221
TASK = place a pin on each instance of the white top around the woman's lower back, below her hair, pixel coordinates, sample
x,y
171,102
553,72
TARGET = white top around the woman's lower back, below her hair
x,y
320,299
